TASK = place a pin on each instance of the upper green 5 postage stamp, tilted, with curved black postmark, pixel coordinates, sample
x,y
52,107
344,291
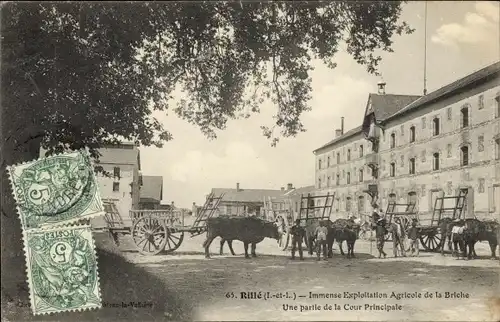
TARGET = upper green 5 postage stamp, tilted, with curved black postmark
x,y
56,190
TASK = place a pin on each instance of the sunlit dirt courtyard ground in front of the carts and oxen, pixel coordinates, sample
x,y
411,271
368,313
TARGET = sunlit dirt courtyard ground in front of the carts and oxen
x,y
214,287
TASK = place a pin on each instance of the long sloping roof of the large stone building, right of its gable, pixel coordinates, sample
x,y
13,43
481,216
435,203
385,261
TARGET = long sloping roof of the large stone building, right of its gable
x,y
451,88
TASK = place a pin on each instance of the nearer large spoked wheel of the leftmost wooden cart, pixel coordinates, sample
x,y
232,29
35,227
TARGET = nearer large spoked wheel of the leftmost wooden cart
x,y
149,235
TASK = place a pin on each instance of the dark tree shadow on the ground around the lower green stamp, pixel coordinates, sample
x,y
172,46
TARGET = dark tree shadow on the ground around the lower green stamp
x,y
121,283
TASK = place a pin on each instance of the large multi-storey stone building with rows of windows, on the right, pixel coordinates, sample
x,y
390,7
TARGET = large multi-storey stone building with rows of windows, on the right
x,y
412,147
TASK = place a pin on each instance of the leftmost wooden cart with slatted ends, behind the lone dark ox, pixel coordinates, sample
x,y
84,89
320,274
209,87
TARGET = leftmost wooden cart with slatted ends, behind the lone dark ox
x,y
155,231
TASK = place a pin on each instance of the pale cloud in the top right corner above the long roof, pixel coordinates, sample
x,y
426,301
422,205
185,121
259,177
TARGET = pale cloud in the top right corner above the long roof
x,y
479,27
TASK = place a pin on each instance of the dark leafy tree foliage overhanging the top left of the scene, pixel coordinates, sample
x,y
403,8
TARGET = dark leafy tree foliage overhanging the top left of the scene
x,y
87,74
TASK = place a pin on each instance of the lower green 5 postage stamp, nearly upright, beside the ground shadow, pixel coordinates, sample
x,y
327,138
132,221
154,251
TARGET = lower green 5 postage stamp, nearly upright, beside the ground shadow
x,y
62,269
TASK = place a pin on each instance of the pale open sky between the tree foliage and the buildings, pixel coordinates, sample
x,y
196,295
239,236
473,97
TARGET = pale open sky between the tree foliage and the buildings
x,y
462,37
